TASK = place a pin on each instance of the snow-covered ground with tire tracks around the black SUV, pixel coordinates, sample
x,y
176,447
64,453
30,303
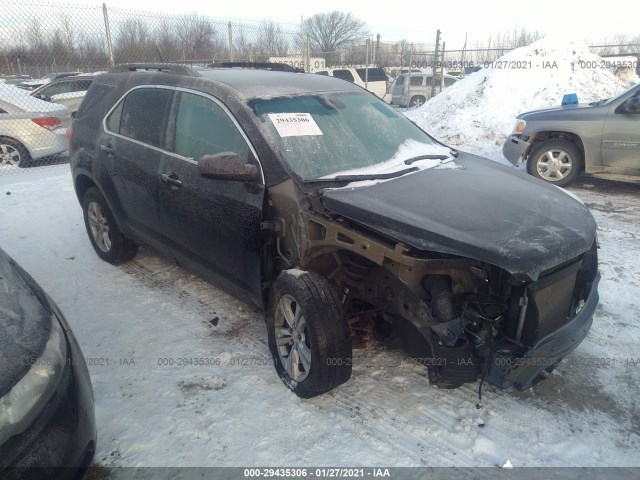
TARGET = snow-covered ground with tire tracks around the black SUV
x,y
145,328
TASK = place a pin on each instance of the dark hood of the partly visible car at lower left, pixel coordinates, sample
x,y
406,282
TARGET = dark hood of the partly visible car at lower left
x,y
25,322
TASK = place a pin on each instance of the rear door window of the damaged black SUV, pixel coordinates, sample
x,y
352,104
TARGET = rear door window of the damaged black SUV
x,y
142,115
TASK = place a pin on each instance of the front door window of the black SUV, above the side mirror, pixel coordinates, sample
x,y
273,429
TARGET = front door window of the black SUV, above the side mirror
x,y
204,128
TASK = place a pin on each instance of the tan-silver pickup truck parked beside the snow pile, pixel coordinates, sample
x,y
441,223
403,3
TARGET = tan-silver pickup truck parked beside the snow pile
x,y
600,138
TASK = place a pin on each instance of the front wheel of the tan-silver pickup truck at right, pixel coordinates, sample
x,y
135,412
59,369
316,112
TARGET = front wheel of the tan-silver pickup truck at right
x,y
556,161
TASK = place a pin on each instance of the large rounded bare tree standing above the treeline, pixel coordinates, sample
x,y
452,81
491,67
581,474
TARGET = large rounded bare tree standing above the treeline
x,y
333,32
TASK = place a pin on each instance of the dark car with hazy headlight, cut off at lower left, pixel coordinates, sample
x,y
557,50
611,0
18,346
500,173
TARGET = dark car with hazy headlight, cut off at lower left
x,y
47,423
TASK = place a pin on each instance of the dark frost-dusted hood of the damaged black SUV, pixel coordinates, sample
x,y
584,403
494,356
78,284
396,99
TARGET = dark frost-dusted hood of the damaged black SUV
x,y
483,210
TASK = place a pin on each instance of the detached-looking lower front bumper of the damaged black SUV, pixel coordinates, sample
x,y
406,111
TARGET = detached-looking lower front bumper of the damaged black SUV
x,y
508,367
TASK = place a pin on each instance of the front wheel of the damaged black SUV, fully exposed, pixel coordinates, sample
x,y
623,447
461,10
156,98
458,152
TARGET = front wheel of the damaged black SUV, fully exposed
x,y
308,335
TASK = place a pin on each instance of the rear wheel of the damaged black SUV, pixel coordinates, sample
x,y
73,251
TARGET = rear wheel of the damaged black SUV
x,y
106,238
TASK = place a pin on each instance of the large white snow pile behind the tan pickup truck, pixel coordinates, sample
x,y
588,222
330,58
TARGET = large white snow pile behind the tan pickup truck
x,y
478,112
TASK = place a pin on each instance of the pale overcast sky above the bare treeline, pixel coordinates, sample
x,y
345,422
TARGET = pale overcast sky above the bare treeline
x,y
418,21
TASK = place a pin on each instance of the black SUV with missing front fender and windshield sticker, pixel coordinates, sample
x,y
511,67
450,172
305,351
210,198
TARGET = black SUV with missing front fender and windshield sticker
x,y
315,200
